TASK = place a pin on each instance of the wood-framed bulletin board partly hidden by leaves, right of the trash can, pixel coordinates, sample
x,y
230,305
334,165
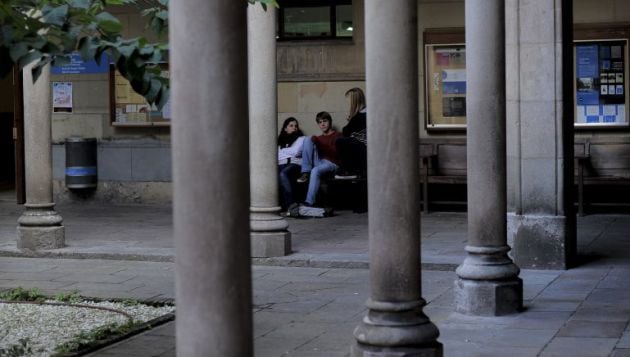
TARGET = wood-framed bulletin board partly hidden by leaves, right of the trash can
x,y
129,109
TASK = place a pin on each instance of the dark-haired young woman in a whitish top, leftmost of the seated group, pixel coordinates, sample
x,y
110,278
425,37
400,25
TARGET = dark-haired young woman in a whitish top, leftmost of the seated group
x,y
290,143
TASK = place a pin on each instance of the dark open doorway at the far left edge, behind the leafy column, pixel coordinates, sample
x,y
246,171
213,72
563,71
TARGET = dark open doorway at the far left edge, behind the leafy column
x,y
11,139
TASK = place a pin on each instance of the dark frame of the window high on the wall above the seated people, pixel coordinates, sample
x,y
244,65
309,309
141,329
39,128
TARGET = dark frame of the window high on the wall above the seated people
x,y
331,4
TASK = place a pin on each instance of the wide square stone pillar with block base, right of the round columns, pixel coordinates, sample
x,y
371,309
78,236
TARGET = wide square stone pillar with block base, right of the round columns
x,y
541,219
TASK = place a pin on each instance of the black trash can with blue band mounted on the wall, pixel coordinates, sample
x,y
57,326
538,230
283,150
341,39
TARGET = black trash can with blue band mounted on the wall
x,y
81,168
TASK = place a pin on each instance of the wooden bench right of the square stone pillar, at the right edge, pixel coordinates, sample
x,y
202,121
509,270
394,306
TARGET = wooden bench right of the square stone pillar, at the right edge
x,y
601,163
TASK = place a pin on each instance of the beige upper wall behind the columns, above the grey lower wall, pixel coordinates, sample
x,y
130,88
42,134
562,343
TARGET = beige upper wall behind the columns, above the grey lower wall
x,y
313,76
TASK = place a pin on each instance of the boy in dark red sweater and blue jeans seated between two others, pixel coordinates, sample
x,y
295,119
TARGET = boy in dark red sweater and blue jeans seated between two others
x,y
319,156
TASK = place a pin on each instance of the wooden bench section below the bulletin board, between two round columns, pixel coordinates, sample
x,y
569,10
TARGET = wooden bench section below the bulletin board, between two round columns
x,y
441,162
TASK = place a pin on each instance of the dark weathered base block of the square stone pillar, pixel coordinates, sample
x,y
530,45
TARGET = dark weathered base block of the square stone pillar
x,y
542,242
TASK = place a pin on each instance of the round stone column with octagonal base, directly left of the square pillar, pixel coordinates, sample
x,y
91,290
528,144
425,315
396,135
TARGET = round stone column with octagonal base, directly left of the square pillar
x,y
488,282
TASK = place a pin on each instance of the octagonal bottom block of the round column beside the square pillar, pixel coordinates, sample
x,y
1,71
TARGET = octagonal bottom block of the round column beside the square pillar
x,y
488,298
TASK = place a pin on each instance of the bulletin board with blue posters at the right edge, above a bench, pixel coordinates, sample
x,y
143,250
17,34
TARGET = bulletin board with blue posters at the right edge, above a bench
x,y
601,83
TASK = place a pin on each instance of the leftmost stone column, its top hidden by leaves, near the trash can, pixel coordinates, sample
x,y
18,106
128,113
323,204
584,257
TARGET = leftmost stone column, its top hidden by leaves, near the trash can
x,y
40,226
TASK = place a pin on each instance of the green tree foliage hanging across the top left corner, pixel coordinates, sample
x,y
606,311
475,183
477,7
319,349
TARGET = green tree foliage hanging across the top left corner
x,y
48,31
